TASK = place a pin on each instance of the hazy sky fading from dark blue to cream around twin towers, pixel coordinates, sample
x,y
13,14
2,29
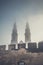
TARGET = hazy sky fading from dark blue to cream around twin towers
x,y
21,11
